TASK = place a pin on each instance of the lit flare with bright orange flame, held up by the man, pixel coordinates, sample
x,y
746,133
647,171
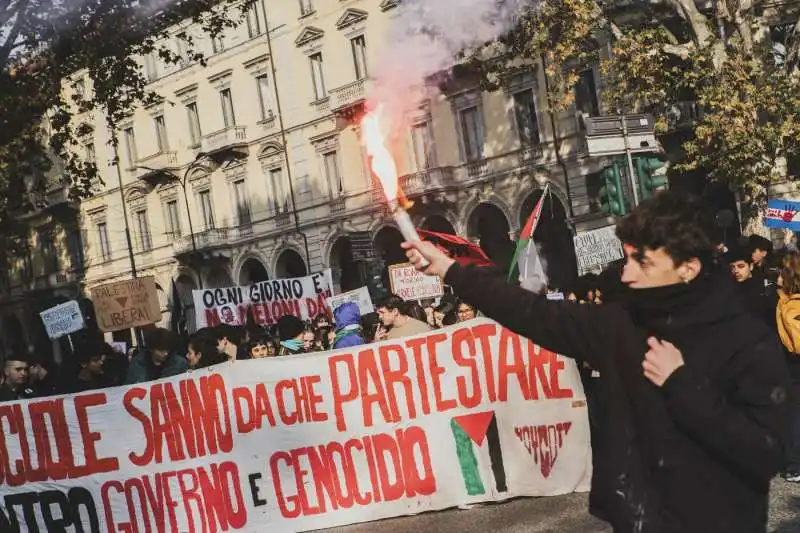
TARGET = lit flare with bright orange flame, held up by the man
x,y
384,167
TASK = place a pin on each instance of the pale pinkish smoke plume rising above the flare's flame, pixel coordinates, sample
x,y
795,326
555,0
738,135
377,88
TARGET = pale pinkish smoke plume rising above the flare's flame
x,y
426,37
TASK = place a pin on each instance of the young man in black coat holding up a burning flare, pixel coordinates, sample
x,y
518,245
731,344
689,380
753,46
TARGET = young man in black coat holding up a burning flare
x,y
693,394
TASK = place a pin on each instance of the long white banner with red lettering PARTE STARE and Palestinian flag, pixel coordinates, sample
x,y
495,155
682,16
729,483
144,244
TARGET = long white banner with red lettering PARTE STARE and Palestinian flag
x,y
468,414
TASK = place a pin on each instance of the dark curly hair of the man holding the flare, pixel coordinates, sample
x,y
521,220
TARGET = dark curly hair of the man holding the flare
x,y
679,223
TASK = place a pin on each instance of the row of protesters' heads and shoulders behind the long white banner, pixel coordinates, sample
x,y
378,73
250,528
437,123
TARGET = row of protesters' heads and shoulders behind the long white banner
x,y
97,365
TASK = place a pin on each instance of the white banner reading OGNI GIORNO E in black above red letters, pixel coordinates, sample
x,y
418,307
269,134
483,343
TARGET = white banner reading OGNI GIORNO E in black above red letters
x,y
267,301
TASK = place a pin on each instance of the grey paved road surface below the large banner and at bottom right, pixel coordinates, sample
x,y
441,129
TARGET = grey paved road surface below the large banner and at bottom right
x,y
562,514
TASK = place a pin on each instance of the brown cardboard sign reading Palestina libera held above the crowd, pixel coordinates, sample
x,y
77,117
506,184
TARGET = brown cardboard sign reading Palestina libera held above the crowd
x,y
126,304
